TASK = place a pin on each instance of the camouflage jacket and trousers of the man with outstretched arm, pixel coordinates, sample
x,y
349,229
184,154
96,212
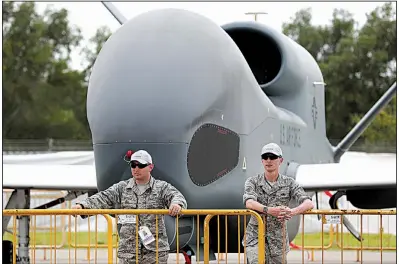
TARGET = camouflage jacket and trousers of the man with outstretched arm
x,y
126,195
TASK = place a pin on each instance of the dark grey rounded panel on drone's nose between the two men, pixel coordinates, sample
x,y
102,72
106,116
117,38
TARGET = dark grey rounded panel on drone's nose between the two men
x,y
213,152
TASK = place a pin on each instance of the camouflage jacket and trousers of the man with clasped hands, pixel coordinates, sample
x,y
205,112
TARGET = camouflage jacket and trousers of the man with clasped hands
x,y
279,194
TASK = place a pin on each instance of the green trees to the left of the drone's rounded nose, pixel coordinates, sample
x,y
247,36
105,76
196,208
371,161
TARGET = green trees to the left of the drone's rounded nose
x,y
42,96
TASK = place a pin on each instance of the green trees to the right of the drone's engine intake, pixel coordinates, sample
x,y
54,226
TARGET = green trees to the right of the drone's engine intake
x,y
358,66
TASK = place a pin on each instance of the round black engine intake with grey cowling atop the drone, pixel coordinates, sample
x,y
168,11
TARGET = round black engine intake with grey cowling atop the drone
x,y
280,65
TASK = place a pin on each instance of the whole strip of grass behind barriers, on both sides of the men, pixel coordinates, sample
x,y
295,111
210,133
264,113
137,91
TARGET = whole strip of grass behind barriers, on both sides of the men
x,y
313,239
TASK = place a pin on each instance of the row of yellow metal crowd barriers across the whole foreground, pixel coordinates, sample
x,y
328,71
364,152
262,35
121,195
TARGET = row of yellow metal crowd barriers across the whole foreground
x,y
333,234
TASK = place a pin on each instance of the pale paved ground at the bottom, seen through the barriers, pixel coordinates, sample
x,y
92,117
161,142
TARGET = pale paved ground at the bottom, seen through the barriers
x,y
294,257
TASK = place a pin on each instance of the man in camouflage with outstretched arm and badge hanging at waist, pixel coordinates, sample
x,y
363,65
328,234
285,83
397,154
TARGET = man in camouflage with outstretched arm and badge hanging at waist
x,y
140,192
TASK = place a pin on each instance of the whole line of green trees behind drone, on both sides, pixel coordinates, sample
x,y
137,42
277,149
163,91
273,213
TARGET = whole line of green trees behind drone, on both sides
x,y
43,97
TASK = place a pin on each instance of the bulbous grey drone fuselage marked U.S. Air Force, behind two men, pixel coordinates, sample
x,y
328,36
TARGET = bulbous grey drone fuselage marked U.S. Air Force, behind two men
x,y
203,100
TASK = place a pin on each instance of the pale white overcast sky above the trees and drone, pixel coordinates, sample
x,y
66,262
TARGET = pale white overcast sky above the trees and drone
x,y
89,16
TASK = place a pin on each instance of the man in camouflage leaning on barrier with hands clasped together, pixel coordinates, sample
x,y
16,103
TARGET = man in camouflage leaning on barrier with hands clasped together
x,y
270,193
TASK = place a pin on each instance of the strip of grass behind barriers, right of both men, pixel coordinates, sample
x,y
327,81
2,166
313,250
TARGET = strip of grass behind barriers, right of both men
x,y
369,240
